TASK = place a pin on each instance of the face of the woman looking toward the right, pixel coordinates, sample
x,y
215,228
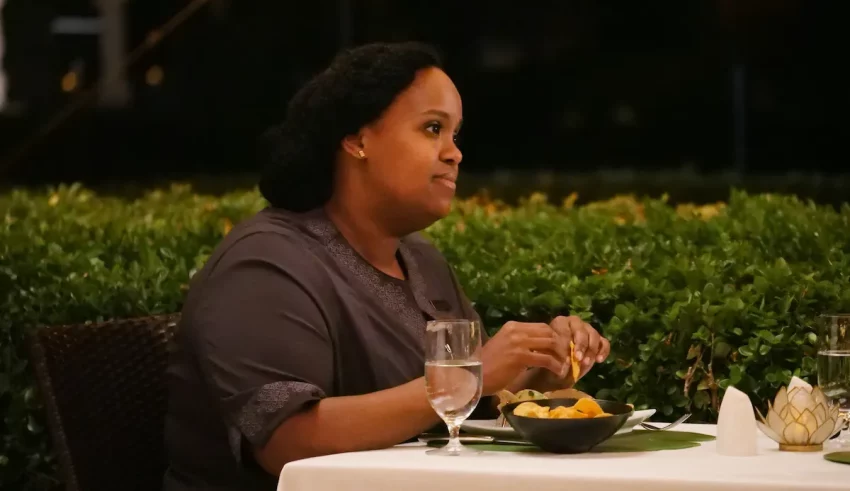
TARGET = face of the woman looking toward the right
x,y
412,158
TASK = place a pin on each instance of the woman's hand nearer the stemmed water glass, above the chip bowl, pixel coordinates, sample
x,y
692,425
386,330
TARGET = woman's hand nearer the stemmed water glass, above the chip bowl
x,y
518,346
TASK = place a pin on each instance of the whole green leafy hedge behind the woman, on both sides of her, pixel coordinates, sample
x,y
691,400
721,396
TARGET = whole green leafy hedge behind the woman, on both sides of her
x,y
692,298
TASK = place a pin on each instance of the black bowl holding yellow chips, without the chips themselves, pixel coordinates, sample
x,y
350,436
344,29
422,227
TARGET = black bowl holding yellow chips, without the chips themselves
x,y
568,435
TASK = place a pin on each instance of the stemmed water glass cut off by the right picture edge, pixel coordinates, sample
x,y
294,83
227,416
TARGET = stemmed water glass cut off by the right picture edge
x,y
834,366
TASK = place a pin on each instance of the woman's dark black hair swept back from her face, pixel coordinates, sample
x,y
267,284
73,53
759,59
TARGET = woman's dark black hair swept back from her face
x,y
299,155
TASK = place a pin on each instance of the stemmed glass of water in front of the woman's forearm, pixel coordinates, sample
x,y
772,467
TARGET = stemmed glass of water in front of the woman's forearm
x,y
453,375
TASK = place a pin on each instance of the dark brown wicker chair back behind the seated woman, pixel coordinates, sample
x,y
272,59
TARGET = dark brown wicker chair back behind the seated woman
x,y
104,390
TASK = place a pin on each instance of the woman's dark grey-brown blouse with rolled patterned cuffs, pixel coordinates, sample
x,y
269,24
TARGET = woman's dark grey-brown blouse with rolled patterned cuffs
x,y
284,313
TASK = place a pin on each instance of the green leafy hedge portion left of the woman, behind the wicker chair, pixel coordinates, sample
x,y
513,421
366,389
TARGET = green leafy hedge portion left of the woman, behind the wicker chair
x,y
70,256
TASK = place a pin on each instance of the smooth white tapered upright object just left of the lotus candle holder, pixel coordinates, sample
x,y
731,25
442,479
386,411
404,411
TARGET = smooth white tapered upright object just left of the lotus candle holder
x,y
736,425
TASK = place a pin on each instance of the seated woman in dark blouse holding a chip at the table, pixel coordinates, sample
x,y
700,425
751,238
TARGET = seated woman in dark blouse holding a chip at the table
x,y
302,335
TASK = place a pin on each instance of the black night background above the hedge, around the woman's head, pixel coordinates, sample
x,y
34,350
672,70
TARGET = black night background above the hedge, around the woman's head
x,y
722,87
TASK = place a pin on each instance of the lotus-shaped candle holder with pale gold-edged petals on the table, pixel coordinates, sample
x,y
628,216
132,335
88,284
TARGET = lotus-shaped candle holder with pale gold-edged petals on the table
x,y
801,418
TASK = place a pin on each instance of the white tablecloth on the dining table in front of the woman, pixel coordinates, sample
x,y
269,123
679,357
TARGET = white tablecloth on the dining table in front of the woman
x,y
407,468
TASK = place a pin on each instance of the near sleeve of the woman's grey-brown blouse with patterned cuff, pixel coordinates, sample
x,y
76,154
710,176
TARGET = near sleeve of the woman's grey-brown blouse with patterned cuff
x,y
259,332
